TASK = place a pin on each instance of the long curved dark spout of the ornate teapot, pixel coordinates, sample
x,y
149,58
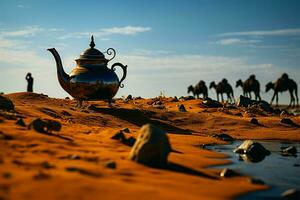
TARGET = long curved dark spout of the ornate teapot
x,y
63,77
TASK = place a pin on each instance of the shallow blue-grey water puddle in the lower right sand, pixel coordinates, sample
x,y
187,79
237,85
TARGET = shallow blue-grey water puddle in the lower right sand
x,y
278,171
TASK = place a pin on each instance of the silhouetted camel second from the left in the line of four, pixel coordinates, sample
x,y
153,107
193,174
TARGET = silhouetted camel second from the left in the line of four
x,y
223,87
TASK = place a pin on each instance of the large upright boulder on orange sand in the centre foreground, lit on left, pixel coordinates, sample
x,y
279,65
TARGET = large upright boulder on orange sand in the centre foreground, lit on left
x,y
152,147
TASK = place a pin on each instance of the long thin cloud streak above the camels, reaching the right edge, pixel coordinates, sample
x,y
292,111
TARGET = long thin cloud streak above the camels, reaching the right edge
x,y
277,32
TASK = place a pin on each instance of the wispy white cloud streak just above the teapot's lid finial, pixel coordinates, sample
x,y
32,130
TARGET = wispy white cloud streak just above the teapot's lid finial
x,y
127,30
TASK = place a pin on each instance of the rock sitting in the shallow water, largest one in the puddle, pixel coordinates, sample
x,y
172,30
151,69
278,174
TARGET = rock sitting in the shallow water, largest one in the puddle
x,y
252,151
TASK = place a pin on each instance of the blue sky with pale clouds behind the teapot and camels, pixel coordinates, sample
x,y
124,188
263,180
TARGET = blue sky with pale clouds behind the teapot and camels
x,y
167,45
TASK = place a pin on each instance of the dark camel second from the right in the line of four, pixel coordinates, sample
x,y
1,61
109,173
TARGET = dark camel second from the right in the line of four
x,y
250,85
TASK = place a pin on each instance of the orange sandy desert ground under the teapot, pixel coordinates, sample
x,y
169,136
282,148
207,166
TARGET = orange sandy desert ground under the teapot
x,y
82,161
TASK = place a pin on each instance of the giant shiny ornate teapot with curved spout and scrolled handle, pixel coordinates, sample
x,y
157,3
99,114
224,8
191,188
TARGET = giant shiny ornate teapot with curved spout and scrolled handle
x,y
91,79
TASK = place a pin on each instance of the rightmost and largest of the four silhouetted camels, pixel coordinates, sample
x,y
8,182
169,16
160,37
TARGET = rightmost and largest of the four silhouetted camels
x,y
282,84
